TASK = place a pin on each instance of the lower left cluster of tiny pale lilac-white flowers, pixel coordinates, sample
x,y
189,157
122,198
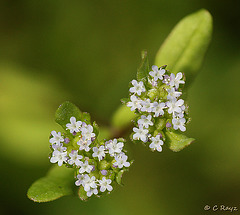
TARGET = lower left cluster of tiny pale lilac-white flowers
x,y
97,164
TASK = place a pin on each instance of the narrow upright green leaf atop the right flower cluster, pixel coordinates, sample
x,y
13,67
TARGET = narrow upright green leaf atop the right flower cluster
x,y
143,70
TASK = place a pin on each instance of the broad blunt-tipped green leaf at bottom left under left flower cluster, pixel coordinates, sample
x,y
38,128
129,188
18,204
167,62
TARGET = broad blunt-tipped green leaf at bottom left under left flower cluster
x,y
58,182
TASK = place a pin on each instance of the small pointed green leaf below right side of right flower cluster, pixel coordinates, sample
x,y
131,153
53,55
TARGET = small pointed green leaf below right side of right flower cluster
x,y
177,141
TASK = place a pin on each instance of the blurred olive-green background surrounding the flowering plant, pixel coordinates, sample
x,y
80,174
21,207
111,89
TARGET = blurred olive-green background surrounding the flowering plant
x,y
87,52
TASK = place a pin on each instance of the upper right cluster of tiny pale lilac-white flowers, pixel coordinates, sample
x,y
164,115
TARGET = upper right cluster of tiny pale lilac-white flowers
x,y
157,103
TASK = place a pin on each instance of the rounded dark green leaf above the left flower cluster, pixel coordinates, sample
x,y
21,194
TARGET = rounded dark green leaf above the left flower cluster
x,y
65,112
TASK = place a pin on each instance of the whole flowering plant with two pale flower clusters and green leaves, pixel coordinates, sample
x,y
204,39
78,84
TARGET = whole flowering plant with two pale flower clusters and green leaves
x,y
87,165
